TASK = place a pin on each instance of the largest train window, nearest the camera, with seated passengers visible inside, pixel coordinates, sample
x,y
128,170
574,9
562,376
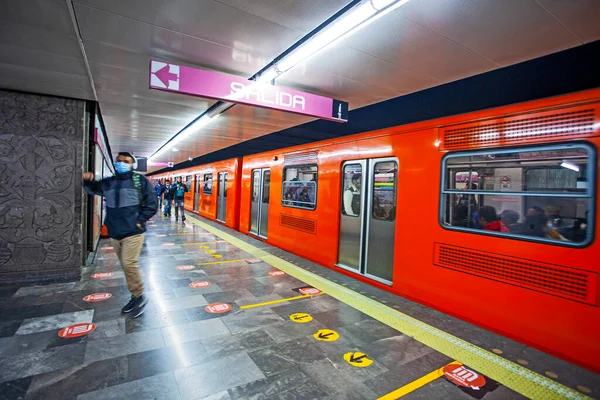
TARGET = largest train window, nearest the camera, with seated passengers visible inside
x,y
542,194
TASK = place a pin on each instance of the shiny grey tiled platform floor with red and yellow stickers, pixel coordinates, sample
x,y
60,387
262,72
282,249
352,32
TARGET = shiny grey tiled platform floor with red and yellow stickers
x,y
263,347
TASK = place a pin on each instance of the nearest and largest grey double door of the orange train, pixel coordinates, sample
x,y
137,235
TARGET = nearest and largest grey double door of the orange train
x,y
368,217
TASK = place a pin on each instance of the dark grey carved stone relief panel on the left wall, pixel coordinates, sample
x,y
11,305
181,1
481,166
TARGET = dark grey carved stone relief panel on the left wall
x,y
41,148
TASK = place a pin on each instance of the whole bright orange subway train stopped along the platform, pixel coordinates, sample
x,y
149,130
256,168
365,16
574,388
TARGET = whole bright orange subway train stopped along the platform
x,y
488,216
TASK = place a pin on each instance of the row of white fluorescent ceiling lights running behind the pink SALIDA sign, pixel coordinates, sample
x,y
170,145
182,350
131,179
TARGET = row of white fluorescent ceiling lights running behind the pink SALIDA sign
x,y
353,20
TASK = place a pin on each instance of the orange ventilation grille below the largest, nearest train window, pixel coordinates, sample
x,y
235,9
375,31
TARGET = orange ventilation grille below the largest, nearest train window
x,y
552,279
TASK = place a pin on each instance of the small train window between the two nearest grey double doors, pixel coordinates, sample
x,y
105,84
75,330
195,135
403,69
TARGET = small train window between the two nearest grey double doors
x,y
299,187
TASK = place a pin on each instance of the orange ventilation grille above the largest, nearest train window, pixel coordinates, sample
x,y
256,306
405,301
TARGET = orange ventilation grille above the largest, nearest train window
x,y
515,130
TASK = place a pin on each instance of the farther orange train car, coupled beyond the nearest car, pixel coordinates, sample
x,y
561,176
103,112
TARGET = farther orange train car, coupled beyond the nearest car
x,y
214,190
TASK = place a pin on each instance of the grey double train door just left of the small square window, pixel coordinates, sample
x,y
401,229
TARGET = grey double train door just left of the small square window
x,y
259,213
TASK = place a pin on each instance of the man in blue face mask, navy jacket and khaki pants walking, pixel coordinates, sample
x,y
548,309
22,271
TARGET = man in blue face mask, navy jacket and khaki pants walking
x,y
130,203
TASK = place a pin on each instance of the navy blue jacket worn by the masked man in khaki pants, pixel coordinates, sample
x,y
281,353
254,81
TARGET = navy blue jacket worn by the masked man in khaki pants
x,y
123,207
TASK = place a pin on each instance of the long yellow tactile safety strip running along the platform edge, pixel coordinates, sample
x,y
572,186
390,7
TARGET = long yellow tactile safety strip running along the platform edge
x,y
507,373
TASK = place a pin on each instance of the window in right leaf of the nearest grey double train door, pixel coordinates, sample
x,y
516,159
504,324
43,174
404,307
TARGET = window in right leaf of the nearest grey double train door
x,y
384,191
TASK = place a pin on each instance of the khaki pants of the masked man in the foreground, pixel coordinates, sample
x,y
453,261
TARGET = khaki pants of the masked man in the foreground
x,y
128,250
